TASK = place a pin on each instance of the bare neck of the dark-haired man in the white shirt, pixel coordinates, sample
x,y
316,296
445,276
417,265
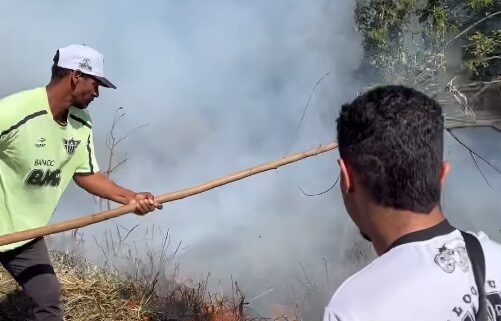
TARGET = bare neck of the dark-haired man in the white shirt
x,y
390,225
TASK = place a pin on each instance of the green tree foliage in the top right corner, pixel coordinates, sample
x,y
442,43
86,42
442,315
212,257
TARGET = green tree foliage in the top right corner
x,y
402,38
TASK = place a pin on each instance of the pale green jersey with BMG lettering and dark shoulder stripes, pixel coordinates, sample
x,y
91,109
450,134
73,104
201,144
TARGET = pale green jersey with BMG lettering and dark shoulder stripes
x,y
38,158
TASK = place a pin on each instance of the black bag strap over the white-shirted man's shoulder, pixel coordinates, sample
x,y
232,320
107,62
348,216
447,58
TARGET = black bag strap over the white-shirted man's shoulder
x,y
477,260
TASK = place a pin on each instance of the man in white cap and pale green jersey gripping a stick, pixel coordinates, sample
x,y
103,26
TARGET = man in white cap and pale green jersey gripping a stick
x,y
45,140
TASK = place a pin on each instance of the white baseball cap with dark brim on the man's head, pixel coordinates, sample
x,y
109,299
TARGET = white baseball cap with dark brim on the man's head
x,y
84,58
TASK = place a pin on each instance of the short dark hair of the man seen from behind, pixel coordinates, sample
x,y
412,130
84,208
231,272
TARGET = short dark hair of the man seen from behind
x,y
392,136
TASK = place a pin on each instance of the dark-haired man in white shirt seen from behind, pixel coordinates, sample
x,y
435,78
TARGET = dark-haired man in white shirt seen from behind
x,y
392,173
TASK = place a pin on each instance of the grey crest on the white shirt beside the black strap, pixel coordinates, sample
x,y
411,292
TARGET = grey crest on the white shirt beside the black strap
x,y
452,254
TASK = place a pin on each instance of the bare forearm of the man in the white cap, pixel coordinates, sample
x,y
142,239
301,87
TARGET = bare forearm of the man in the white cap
x,y
100,185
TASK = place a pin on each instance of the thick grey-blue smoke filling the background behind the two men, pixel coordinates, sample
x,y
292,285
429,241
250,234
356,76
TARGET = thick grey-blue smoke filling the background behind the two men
x,y
222,87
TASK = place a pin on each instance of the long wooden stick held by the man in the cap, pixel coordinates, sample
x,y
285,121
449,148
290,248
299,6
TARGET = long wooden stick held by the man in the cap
x,y
169,197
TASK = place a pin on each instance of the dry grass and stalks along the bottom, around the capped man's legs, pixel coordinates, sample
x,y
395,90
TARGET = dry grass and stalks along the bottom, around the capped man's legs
x,y
143,288
